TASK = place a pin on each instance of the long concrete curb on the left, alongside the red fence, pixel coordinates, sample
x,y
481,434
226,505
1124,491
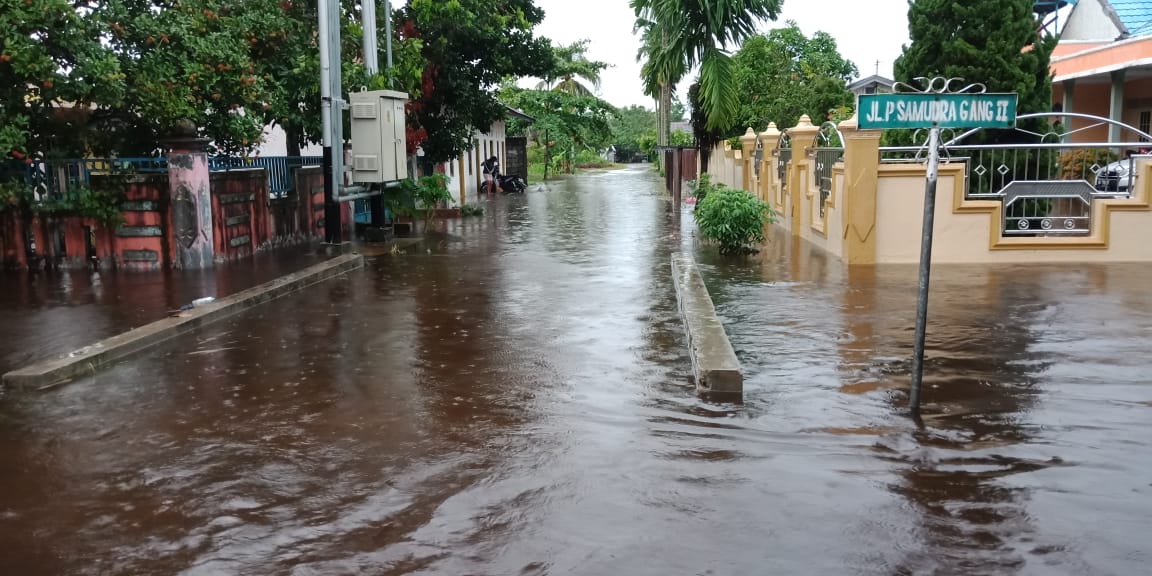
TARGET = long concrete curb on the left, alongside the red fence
x,y
95,358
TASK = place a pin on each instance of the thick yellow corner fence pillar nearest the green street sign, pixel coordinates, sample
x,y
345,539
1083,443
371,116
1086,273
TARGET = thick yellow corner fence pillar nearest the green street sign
x,y
862,169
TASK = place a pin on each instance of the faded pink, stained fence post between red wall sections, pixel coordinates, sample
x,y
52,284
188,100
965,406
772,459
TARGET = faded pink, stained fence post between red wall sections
x,y
192,202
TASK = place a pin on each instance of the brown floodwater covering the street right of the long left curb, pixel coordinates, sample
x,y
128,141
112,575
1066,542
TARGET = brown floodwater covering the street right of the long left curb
x,y
514,399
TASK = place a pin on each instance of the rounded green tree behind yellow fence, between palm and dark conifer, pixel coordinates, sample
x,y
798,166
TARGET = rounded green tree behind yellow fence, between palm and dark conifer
x,y
785,74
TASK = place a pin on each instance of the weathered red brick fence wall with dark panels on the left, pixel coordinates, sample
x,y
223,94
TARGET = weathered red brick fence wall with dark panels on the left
x,y
246,219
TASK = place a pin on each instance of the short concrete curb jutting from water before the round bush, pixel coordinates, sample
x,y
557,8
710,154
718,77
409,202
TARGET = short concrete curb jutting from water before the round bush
x,y
718,373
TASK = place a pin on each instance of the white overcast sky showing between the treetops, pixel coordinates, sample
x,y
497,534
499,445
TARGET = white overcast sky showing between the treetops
x,y
867,32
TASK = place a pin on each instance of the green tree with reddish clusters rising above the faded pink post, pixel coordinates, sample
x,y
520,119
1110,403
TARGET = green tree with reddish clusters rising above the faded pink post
x,y
198,62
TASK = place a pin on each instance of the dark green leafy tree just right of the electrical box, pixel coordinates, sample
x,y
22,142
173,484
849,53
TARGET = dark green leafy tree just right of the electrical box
x,y
469,48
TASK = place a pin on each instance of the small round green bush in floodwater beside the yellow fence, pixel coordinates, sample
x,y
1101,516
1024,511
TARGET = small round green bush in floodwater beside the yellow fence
x,y
732,218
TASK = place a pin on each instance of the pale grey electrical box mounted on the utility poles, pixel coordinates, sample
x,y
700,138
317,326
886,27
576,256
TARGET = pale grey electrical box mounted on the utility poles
x,y
380,147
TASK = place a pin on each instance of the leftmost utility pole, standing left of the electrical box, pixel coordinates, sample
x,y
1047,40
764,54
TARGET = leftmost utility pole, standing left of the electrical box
x,y
331,117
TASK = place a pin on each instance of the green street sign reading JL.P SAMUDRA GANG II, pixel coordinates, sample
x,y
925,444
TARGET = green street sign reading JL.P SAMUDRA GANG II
x,y
937,111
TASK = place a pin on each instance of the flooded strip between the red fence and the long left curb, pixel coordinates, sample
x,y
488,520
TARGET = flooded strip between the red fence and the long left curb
x,y
47,314
